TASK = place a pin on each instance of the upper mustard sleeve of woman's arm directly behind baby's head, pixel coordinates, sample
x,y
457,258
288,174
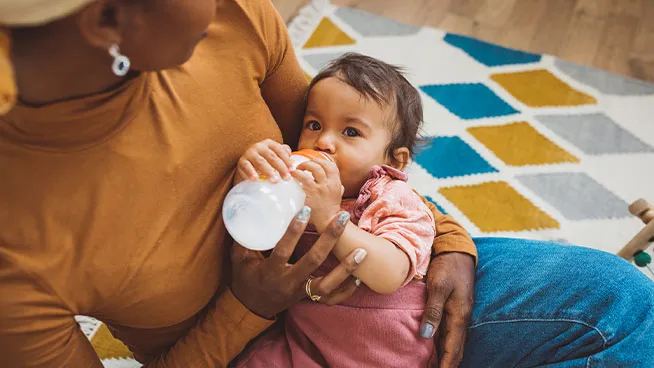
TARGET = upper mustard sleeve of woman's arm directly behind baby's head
x,y
285,84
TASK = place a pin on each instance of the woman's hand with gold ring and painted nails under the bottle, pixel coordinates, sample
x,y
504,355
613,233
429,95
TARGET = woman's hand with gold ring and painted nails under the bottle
x,y
268,286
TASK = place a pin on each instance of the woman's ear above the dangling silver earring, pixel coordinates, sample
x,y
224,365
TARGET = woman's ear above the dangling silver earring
x,y
99,23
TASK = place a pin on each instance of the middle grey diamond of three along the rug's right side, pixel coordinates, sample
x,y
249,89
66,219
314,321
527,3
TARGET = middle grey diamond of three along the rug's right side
x,y
595,134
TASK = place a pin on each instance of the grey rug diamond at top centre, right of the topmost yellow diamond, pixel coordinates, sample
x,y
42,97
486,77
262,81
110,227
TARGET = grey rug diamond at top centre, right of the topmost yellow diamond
x,y
368,24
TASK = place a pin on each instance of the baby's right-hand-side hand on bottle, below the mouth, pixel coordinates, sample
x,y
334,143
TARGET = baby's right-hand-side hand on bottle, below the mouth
x,y
324,190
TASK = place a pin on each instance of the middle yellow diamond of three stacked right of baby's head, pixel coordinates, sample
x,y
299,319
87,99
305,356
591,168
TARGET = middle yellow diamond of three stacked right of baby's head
x,y
519,144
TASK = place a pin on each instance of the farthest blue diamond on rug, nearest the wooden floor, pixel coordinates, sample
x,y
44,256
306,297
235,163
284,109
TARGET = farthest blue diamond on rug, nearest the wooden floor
x,y
490,54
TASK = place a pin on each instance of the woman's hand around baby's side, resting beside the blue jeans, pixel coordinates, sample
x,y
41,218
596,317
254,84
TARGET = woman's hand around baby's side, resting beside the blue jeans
x,y
450,287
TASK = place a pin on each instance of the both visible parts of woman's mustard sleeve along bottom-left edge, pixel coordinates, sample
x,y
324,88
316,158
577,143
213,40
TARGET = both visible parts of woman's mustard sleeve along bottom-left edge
x,y
38,329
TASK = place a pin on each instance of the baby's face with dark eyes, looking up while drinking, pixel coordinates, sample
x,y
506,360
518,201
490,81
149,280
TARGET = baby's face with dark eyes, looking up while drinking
x,y
349,127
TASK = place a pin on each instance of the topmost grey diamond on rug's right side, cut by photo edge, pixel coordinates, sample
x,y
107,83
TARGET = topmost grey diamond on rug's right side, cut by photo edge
x,y
604,81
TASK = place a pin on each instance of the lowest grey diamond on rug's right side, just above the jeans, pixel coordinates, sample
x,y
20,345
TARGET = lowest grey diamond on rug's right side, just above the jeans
x,y
576,195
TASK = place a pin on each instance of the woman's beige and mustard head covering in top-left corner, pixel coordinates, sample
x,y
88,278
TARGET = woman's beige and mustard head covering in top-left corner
x,y
15,13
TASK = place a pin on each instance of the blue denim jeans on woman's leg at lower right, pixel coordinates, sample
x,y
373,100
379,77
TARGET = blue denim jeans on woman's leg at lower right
x,y
544,304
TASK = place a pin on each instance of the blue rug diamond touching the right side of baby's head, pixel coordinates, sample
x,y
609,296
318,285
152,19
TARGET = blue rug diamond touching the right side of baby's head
x,y
446,157
